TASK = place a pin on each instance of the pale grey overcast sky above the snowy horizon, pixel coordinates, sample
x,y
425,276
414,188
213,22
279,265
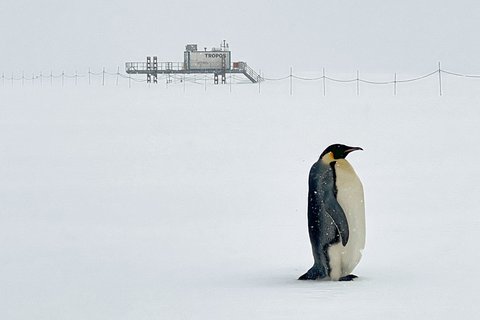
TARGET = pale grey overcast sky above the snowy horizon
x,y
370,35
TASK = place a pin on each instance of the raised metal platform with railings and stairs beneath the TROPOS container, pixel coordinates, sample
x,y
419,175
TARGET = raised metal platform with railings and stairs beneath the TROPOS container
x,y
154,68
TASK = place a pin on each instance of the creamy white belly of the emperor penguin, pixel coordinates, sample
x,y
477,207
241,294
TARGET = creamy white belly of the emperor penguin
x,y
350,197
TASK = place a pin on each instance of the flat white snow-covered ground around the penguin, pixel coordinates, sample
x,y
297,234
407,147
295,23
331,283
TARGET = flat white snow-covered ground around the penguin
x,y
155,203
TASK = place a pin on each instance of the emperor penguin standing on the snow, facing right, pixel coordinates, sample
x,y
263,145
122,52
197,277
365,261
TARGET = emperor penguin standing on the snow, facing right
x,y
336,216
